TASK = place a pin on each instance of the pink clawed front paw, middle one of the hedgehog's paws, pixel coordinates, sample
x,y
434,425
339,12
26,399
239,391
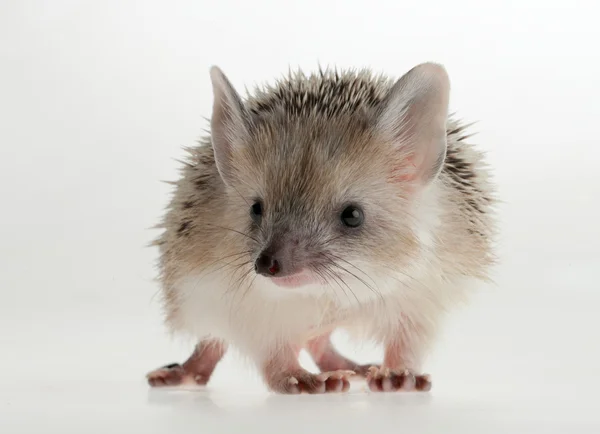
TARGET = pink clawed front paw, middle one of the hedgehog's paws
x,y
301,381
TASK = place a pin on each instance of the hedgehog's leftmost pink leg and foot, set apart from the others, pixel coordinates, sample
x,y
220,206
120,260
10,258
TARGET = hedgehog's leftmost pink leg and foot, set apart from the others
x,y
196,370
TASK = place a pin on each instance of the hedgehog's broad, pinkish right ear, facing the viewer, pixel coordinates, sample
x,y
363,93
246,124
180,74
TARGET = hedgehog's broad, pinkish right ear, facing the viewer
x,y
414,119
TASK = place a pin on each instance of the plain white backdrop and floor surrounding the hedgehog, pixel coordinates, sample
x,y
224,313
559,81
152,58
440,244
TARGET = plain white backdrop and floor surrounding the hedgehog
x,y
98,98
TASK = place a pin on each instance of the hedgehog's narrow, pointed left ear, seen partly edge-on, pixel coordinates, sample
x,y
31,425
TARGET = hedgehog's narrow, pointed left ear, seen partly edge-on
x,y
228,124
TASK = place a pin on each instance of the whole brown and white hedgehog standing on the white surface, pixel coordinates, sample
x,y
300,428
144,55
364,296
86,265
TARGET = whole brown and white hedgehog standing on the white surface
x,y
305,150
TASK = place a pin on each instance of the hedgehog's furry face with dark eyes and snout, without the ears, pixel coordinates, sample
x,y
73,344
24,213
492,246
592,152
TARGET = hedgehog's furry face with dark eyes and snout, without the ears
x,y
320,208
